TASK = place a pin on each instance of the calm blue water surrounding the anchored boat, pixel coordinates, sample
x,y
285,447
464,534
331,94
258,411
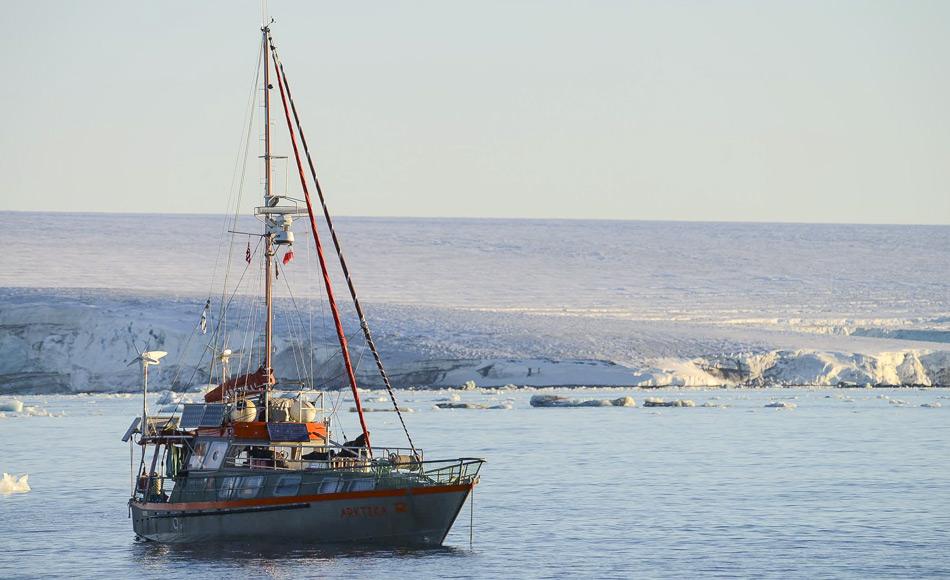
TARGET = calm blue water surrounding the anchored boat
x,y
853,488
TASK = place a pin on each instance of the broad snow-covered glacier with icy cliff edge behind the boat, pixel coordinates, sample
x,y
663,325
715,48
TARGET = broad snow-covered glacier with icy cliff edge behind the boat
x,y
526,302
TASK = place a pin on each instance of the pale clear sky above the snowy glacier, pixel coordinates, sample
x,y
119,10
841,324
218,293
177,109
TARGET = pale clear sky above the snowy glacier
x,y
793,111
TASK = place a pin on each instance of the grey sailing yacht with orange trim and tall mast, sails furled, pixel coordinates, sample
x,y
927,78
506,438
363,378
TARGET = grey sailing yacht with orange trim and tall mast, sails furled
x,y
247,464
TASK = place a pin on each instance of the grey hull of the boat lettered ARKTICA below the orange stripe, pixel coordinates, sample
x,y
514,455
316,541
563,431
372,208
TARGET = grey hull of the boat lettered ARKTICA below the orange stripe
x,y
419,516
